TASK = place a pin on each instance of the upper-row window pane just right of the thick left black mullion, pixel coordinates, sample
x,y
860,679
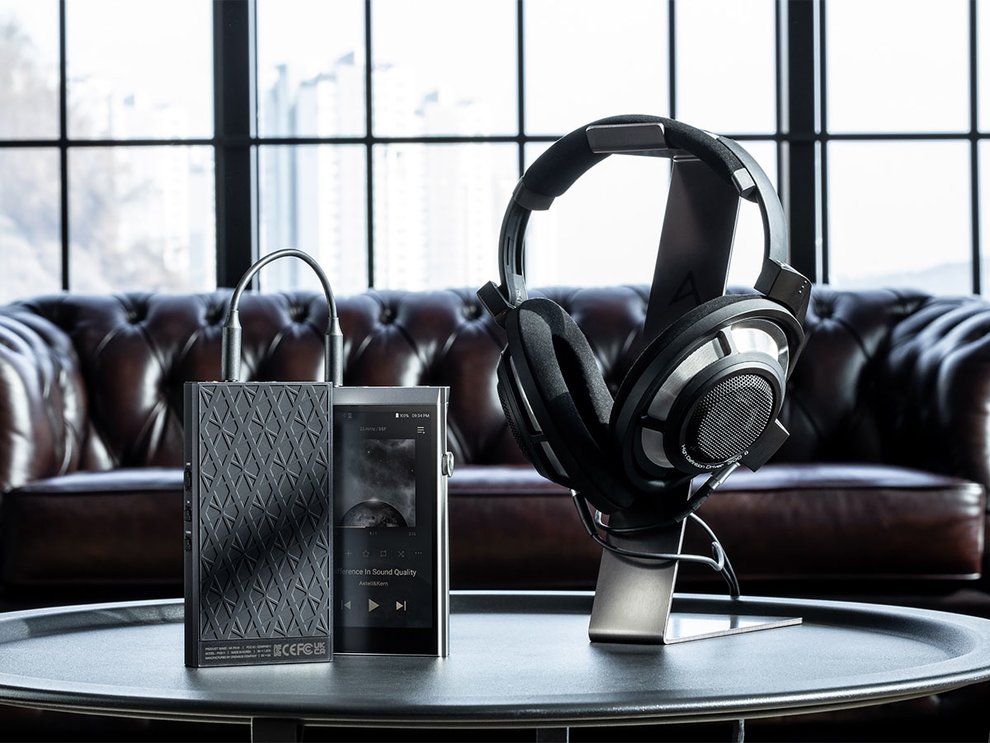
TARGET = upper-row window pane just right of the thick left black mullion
x,y
311,67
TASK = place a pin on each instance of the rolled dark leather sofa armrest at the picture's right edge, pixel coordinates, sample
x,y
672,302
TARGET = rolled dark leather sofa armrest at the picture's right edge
x,y
935,389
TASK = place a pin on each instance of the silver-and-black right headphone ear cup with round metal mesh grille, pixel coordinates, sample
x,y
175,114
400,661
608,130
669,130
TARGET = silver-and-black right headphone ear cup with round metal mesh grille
x,y
706,389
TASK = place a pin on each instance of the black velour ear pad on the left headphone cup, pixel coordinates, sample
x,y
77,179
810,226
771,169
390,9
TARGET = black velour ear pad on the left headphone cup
x,y
559,376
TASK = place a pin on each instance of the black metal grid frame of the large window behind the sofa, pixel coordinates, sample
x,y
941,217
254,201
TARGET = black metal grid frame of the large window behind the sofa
x,y
801,136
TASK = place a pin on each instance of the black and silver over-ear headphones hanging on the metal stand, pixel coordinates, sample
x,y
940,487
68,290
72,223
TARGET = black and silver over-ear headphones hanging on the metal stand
x,y
704,394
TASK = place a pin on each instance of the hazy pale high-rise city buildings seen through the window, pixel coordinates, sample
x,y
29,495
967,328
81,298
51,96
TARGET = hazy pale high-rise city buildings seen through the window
x,y
437,207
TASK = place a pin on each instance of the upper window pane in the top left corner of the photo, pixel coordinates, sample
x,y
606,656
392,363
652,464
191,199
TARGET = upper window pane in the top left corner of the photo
x,y
28,69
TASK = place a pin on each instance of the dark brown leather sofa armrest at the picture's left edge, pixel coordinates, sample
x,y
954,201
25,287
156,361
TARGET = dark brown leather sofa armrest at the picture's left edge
x,y
42,399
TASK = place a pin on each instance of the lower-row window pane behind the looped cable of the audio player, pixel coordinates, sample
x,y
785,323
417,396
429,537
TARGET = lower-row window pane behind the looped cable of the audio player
x,y
313,198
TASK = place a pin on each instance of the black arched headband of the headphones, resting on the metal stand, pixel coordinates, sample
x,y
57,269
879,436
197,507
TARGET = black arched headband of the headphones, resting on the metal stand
x,y
557,169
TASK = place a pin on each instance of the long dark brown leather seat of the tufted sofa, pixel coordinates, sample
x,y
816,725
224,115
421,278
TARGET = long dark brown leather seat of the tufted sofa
x,y
510,528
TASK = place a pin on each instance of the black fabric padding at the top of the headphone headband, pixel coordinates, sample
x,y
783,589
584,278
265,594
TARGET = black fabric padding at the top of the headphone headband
x,y
570,157
